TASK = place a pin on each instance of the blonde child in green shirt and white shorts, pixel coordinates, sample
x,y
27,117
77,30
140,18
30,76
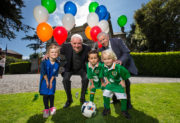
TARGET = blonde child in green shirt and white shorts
x,y
115,75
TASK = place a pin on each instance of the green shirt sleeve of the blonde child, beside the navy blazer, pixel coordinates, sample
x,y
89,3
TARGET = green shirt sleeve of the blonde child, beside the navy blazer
x,y
124,73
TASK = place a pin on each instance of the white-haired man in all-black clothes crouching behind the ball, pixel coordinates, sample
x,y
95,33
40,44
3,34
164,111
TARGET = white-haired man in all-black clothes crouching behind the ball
x,y
76,55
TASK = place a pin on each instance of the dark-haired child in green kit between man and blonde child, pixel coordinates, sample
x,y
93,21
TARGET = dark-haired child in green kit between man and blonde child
x,y
94,73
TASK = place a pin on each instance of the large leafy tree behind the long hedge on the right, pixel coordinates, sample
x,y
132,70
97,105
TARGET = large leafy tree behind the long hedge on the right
x,y
159,22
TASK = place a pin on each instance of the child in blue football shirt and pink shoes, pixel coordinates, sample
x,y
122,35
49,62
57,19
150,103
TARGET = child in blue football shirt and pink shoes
x,y
49,72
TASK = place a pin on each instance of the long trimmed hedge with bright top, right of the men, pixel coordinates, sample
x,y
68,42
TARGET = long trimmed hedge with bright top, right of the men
x,y
166,64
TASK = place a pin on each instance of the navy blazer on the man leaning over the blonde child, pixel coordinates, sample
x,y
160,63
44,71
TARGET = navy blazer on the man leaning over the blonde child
x,y
123,54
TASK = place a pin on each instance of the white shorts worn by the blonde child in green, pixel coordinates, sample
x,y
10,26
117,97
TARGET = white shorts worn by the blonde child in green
x,y
108,93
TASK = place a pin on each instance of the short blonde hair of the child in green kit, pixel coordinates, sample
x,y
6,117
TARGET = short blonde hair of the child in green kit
x,y
108,53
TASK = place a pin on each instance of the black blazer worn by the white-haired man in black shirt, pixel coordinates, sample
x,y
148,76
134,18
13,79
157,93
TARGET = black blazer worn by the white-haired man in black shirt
x,y
67,51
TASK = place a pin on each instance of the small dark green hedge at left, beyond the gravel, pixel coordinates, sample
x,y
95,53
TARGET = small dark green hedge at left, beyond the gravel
x,y
20,67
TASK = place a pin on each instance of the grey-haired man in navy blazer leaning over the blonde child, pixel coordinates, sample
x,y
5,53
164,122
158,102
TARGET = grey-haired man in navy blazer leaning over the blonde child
x,y
123,56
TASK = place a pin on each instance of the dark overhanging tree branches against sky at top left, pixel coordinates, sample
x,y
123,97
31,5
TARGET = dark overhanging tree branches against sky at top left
x,y
10,18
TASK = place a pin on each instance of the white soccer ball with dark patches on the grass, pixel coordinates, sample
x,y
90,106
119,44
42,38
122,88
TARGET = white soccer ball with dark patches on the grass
x,y
88,109
